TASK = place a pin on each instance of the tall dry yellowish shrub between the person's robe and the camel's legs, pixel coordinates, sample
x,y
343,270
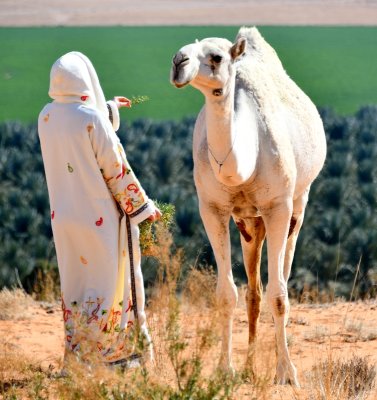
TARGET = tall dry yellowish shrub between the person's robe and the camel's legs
x,y
183,339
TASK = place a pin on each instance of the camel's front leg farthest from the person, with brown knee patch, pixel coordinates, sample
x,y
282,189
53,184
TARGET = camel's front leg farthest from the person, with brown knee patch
x,y
277,221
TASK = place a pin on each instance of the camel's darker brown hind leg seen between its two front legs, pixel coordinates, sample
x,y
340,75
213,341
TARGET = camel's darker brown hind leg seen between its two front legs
x,y
253,234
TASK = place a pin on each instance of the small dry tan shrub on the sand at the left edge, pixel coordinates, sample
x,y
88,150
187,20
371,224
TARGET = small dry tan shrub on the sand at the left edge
x,y
14,304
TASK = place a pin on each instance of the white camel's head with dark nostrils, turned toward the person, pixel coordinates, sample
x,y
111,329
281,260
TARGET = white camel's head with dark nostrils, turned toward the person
x,y
206,65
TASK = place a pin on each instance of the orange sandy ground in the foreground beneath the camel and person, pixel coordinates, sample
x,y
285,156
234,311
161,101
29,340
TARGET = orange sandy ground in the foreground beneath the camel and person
x,y
315,332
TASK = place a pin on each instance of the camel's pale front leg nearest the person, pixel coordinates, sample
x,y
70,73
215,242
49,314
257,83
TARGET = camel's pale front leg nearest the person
x,y
216,223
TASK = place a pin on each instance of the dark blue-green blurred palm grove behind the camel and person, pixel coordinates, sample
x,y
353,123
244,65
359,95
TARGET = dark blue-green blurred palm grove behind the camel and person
x,y
340,223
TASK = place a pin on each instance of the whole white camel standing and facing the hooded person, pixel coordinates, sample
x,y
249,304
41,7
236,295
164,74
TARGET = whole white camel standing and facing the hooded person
x,y
258,145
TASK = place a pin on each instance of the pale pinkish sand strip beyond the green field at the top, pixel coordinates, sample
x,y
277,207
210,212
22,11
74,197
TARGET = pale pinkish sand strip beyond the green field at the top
x,y
188,12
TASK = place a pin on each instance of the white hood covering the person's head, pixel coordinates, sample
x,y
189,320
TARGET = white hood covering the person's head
x,y
73,79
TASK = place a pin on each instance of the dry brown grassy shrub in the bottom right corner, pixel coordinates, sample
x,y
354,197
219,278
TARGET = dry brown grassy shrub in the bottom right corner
x,y
343,380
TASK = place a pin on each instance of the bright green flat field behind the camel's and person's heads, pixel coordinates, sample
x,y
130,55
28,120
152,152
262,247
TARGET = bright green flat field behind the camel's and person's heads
x,y
336,66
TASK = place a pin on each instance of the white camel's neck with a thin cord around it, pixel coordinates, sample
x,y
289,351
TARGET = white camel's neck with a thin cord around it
x,y
232,135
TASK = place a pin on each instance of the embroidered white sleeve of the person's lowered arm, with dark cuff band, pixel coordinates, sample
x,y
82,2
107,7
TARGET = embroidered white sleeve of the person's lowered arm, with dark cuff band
x,y
118,173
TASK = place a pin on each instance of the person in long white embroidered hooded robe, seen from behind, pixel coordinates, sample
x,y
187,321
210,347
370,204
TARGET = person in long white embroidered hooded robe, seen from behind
x,y
96,205
